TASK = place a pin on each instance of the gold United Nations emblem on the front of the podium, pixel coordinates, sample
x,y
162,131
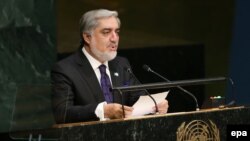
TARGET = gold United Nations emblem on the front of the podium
x,y
198,130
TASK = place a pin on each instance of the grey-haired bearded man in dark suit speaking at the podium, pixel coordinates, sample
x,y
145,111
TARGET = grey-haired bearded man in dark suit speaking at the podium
x,y
81,83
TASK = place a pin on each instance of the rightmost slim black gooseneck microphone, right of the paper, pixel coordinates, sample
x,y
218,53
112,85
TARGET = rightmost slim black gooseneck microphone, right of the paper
x,y
148,69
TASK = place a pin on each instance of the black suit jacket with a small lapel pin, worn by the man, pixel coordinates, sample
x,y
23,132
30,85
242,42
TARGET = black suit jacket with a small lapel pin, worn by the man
x,y
76,92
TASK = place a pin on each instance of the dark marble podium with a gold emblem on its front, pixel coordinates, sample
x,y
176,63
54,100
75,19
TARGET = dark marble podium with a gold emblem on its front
x,y
210,124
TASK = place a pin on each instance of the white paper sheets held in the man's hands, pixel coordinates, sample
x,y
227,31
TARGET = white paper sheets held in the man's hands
x,y
145,104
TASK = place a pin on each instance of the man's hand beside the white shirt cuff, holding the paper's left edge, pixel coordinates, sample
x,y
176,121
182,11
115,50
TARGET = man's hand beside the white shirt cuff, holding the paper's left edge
x,y
114,111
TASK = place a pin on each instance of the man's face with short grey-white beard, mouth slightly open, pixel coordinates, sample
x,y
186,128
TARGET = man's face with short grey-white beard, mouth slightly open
x,y
103,42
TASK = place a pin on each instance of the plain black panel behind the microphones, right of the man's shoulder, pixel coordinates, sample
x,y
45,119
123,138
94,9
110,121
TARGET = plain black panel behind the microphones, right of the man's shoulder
x,y
175,63
